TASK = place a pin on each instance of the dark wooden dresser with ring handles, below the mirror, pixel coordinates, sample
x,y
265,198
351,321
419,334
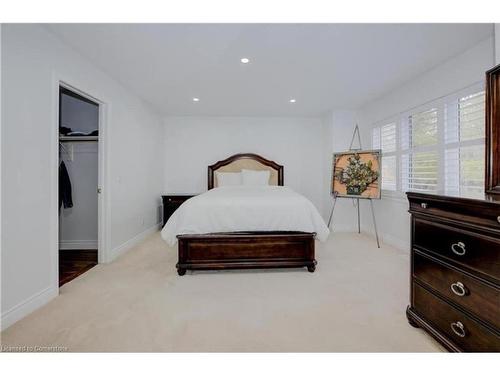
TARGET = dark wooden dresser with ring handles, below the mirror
x,y
455,271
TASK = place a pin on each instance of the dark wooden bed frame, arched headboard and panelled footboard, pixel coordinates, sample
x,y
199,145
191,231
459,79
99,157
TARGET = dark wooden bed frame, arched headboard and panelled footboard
x,y
243,250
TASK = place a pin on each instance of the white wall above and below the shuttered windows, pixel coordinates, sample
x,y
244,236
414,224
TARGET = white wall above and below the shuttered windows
x,y
457,73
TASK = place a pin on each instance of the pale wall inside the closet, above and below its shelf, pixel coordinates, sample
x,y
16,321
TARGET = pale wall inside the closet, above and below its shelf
x,y
78,224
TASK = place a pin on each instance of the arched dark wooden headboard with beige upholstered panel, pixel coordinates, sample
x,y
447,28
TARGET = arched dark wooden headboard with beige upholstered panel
x,y
238,162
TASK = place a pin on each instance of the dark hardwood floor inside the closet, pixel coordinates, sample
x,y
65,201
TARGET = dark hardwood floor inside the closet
x,y
73,263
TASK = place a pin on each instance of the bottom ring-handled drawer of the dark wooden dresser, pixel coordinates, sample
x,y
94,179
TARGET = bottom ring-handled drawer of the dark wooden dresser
x,y
465,332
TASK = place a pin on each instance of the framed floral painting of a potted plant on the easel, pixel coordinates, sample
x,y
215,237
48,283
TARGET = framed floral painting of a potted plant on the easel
x,y
357,174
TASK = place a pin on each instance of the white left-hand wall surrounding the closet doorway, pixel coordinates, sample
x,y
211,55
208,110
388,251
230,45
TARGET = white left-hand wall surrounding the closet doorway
x,y
32,59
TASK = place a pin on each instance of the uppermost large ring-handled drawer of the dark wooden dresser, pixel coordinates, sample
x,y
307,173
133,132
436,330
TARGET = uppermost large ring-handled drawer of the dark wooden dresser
x,y
477,252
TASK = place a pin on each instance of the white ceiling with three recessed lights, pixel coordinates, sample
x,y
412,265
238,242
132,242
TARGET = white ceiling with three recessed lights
x,y
323,66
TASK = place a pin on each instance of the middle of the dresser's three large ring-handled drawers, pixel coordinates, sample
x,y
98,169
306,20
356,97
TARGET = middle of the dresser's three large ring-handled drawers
x,y
478,297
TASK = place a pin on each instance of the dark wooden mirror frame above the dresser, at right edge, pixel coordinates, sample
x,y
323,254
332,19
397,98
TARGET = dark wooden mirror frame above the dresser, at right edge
x,y
492,133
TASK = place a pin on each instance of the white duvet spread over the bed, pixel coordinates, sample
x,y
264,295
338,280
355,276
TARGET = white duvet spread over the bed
x,y
245,208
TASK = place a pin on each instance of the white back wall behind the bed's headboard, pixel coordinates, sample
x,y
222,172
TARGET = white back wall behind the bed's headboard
x,y
193,143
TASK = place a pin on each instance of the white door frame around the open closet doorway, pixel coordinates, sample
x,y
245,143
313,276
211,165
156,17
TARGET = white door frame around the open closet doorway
x,y
103,181
